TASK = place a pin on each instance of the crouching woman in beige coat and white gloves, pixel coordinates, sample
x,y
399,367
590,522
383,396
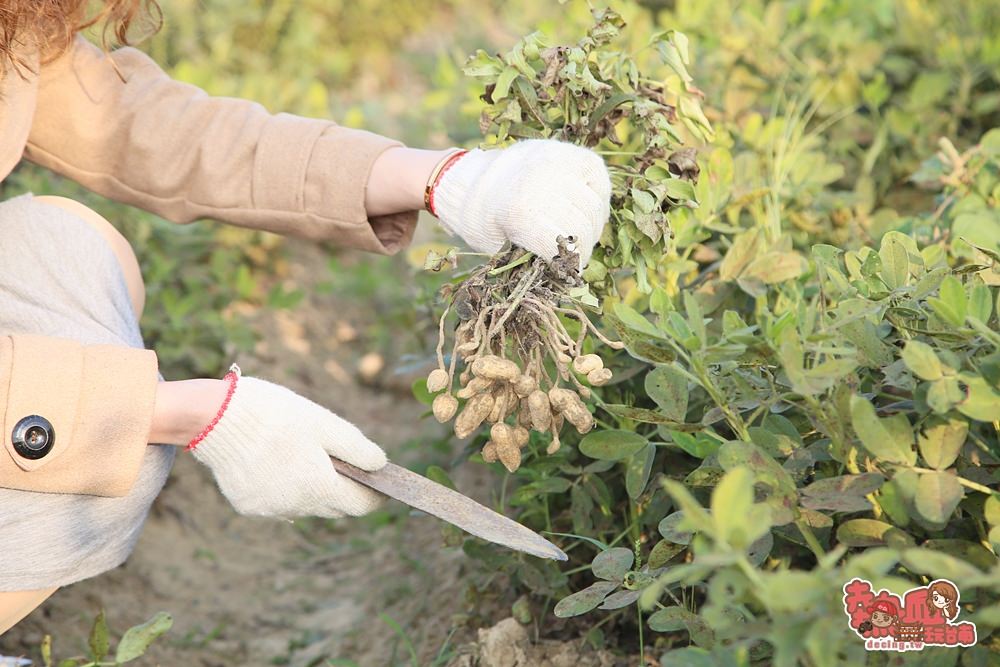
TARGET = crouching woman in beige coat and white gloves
x,y
81,401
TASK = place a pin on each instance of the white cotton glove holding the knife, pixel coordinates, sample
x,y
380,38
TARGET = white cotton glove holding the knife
x,y
270,455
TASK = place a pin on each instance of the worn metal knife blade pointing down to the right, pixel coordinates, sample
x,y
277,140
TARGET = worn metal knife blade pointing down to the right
x,y
451,506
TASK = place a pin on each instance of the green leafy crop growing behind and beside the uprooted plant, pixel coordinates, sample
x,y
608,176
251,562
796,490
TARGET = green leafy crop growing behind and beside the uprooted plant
x,y
811,386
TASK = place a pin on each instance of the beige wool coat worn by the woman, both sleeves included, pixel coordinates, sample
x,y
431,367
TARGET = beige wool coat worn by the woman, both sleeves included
x,y
119,126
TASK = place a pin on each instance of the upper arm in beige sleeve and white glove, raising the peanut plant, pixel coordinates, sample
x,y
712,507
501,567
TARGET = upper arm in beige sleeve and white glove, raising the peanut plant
x,y
120,126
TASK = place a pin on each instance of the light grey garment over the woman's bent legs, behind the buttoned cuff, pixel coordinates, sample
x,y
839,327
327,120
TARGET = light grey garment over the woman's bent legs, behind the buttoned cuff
x,y
59,277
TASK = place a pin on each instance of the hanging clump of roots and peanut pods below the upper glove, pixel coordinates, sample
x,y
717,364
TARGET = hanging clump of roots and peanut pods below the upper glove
x,y
517,353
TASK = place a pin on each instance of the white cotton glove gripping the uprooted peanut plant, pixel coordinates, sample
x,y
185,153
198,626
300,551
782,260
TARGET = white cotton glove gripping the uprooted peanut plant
x,y
527,194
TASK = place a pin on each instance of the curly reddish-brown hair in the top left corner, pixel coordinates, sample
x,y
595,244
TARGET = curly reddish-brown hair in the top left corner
x,y
49,26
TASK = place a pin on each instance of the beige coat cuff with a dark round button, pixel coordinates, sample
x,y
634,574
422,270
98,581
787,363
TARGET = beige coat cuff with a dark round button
x,y
90,408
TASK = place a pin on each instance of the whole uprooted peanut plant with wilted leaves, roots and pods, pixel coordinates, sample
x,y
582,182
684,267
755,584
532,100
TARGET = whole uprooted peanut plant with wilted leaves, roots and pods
x,y
516,302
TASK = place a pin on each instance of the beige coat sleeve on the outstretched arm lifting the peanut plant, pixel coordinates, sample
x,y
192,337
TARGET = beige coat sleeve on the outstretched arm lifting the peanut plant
x,y
117,124
